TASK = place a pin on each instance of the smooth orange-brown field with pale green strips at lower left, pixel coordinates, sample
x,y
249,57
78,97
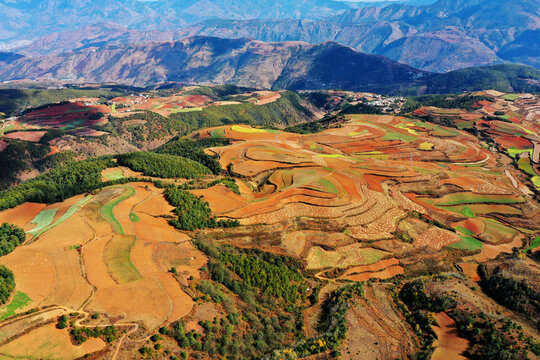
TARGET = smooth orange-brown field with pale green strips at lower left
x,y
88,254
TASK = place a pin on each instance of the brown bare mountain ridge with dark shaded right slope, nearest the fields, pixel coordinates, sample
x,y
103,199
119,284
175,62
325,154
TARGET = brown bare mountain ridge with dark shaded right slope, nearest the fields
x,y
252,63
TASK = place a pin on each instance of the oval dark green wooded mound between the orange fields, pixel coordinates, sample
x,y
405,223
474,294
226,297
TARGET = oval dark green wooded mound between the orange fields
x,y
163,165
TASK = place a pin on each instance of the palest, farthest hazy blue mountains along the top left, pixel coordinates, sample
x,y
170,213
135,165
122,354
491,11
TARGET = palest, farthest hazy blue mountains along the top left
x,y
29,19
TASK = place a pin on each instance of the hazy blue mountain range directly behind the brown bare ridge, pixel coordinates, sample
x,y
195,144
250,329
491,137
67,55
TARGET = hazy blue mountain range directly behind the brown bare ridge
x,y
444,36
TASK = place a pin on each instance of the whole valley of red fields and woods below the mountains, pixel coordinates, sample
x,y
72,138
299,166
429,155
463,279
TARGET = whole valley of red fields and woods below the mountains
x,y
243,223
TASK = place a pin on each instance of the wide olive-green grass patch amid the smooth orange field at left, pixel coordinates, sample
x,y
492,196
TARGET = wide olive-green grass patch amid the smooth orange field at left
x,y
117,258
